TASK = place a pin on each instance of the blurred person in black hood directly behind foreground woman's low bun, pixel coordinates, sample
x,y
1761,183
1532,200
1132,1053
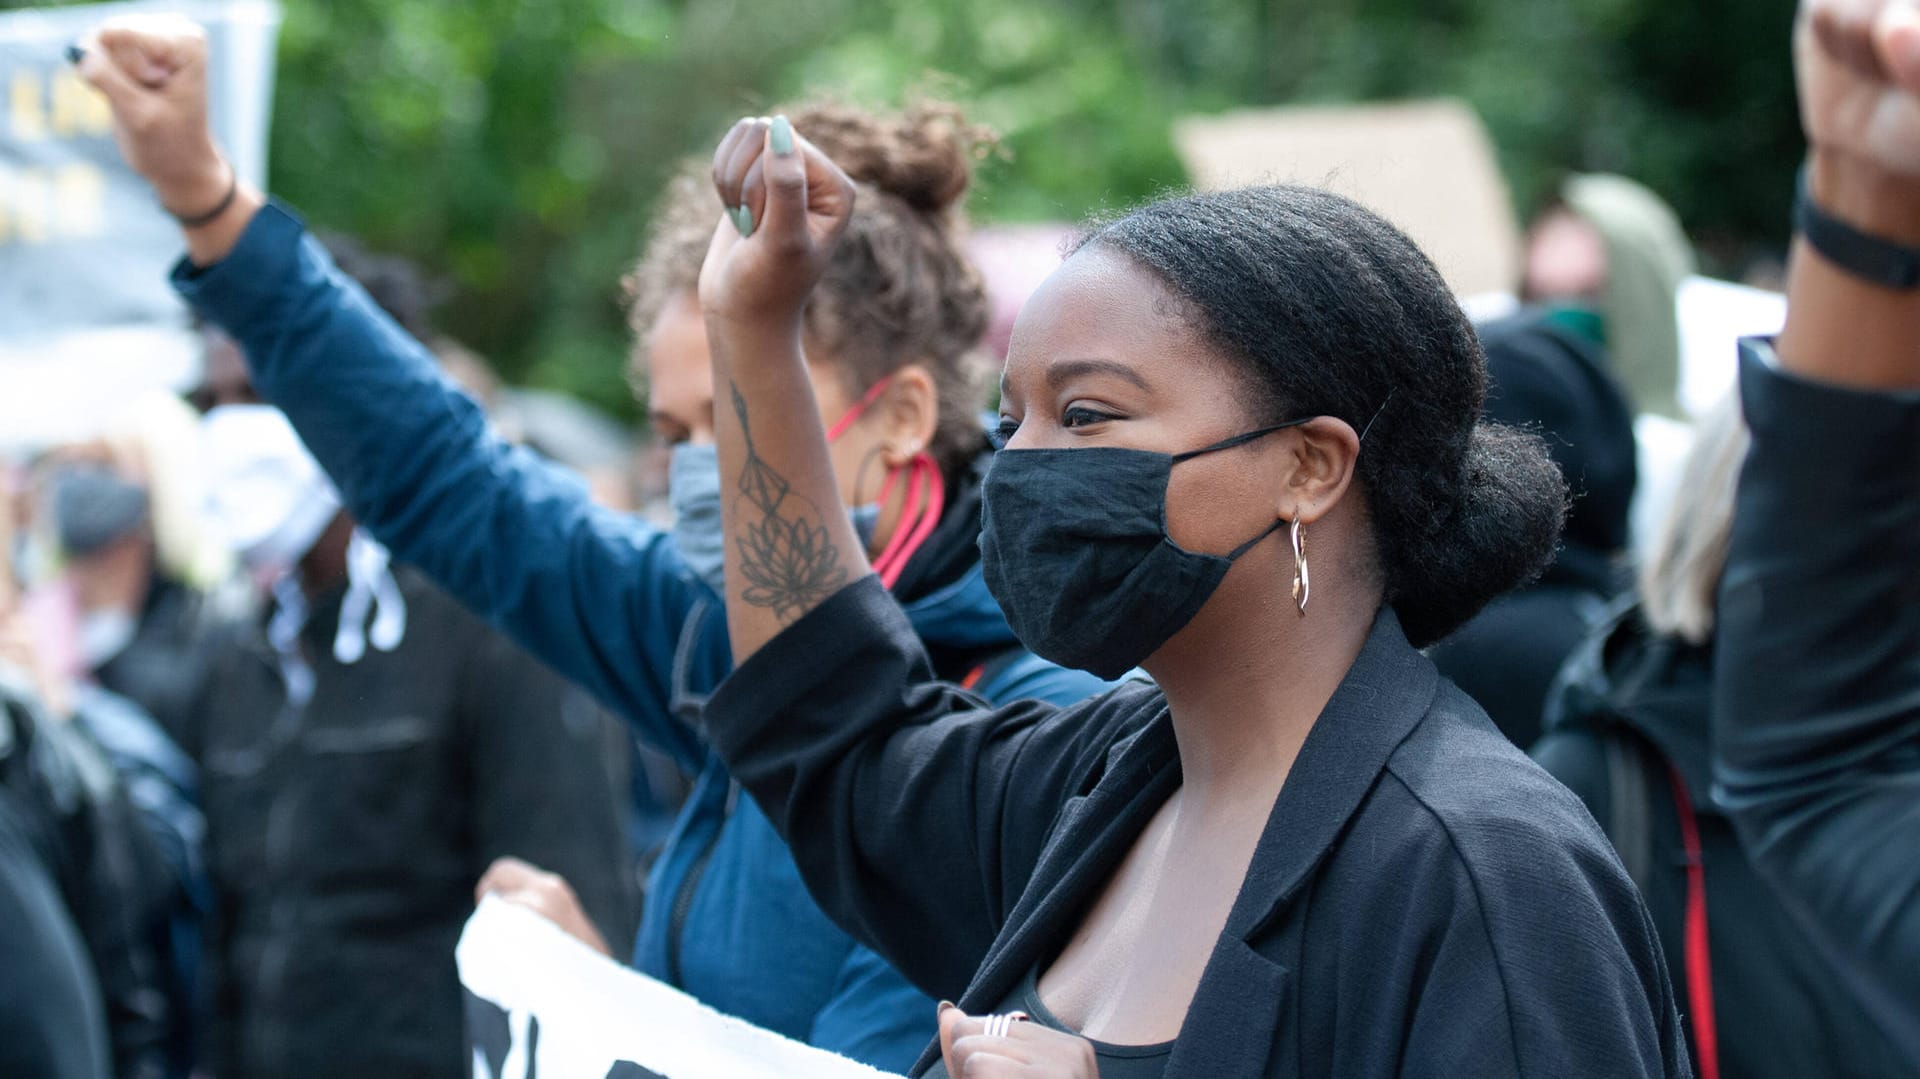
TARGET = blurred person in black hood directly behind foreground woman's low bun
x,y
1556,383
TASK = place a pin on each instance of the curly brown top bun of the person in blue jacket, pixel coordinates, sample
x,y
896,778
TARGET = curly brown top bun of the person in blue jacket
x,y
923,156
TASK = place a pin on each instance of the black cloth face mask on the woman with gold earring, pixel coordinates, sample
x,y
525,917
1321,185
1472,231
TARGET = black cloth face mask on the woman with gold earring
x,y
1074,546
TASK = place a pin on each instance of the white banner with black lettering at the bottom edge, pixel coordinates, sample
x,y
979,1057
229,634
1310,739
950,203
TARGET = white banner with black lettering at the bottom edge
x,y
546,1007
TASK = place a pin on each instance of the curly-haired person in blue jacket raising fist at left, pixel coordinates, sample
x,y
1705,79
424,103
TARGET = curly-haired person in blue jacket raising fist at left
x,y
633,611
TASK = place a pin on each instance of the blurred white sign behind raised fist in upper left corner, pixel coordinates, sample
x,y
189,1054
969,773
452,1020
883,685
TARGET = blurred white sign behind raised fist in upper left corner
x,y
87,320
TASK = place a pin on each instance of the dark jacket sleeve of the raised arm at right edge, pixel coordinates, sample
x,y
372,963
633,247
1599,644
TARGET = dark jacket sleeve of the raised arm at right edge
x,y
1817,673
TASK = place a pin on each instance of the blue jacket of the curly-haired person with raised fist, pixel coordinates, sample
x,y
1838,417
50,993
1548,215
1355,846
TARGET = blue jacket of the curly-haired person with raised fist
x,y
604,600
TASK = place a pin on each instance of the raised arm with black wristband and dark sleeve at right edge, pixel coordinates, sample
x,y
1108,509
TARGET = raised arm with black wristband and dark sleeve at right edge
x,y
1817,669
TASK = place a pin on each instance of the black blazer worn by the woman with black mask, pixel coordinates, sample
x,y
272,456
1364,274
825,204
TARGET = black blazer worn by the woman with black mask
x,y
1424,899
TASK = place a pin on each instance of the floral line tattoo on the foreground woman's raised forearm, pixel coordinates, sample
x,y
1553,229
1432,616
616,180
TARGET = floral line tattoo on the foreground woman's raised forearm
x,y
786,562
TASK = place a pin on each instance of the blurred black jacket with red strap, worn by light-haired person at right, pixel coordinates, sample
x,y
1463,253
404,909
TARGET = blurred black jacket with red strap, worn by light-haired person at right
x,y
1779,1007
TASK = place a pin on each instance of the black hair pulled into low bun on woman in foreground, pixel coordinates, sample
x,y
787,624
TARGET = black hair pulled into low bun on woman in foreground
x,y
1333,312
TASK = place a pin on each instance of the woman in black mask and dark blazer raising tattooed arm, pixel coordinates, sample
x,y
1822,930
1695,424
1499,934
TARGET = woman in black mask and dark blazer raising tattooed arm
x,y
1243,452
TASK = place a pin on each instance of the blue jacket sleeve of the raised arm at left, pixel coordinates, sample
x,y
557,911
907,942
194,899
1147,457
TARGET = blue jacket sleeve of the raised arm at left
x,y
596,594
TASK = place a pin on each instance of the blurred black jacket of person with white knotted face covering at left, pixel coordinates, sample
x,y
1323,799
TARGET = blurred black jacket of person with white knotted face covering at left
x,y
345,840
